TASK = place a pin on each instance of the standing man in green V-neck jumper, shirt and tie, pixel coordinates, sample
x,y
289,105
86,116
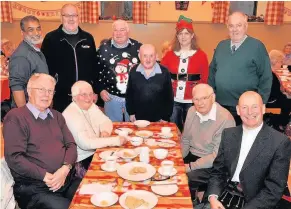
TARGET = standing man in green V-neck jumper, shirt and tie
x,y
239,64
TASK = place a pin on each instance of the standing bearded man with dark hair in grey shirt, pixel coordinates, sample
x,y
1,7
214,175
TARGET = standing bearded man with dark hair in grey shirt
x,y
26,60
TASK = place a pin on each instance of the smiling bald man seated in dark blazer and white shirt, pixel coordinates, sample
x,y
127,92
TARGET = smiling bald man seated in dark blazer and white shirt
x,y
252,164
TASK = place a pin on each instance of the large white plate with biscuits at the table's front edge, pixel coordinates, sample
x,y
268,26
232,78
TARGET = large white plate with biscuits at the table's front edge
x,y
149,197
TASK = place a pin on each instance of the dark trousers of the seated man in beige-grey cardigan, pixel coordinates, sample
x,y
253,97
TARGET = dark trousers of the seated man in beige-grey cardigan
x,y
198,179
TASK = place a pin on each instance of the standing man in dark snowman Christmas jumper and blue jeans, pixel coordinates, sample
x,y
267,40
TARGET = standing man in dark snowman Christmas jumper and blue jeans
x,y
116,57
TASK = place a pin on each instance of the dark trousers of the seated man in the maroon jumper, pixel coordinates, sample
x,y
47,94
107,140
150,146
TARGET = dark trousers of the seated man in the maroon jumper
x,y
36,194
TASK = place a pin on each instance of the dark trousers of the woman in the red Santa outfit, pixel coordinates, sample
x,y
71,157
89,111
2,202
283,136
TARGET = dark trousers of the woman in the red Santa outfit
x,y
179,114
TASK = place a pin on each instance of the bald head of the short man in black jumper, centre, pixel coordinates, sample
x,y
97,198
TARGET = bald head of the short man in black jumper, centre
x,y
148,56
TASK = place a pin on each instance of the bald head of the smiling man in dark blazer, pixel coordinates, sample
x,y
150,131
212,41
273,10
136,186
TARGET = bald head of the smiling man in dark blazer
x,y
251,109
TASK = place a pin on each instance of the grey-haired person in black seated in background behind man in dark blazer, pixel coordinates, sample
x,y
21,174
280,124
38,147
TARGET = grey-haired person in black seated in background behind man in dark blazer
x,y
277,99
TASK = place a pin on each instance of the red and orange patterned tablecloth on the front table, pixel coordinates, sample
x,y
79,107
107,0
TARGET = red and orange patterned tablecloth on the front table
x,y
180,199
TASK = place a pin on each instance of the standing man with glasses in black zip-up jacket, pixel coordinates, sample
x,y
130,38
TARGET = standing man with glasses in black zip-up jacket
x,y
71,55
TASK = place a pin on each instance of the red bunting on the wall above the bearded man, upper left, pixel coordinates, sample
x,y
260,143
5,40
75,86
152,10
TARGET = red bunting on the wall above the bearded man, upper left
x,y
37,12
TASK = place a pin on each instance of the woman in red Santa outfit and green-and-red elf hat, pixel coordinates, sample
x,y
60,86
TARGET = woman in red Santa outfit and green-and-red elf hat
x,y
188,66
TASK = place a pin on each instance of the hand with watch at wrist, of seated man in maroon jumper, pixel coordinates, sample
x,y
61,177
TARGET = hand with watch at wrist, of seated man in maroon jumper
x,y
59,178
